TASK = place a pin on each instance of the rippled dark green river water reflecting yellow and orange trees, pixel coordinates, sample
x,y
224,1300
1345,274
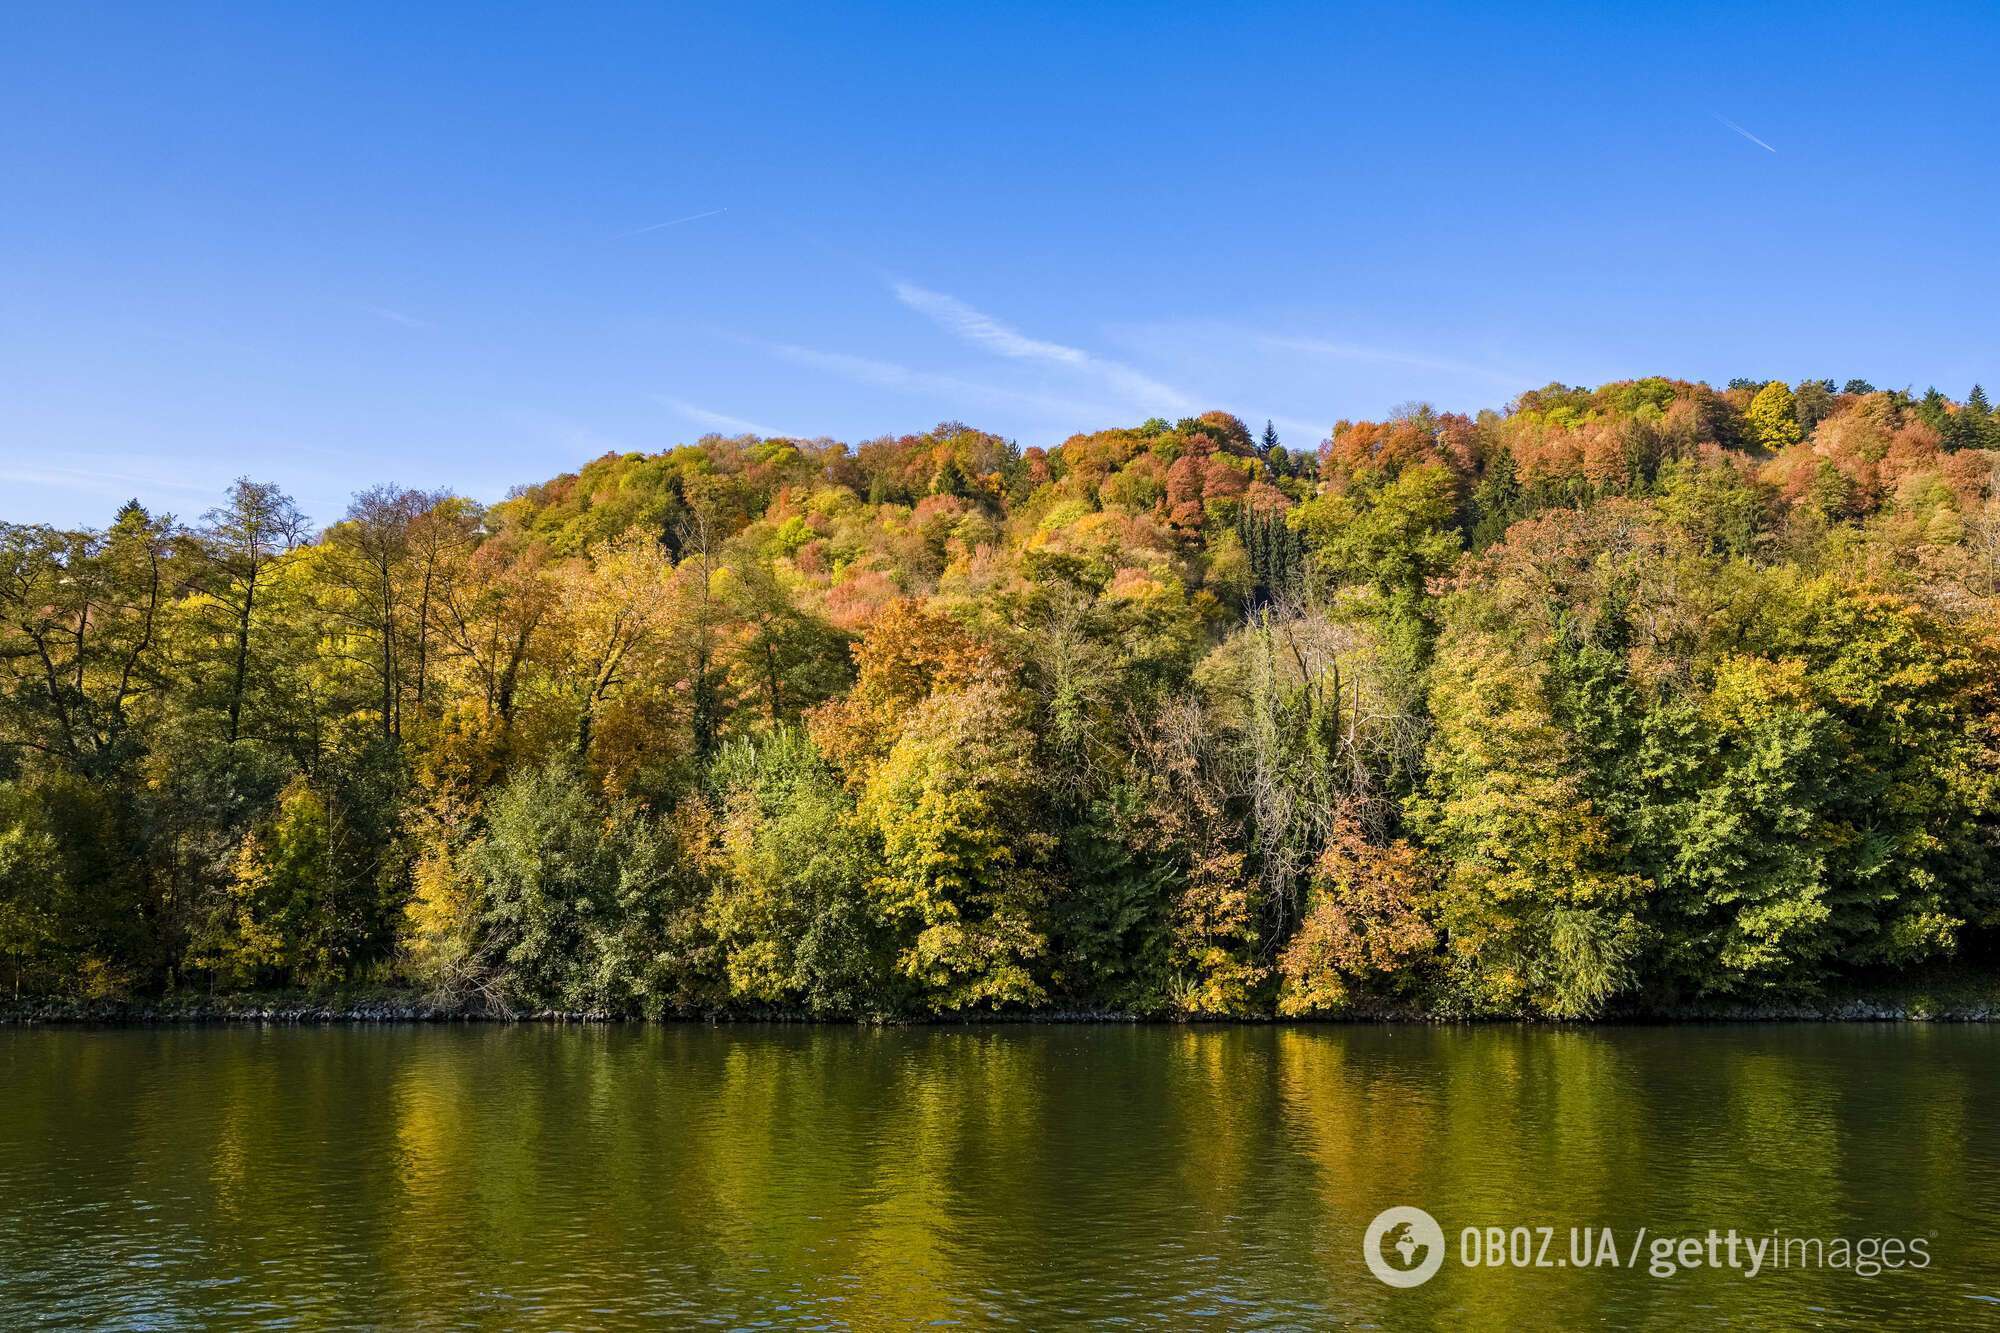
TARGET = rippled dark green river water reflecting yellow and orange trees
x,y
1017,1176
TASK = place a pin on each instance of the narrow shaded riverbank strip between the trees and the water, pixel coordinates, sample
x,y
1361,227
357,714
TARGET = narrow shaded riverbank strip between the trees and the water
x,y
1957,996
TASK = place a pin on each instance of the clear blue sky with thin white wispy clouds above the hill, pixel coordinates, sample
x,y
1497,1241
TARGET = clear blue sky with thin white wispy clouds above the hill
x,y
479,245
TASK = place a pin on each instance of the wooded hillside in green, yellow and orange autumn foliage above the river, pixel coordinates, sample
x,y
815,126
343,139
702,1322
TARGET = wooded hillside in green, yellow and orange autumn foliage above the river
x,y
1637,696
